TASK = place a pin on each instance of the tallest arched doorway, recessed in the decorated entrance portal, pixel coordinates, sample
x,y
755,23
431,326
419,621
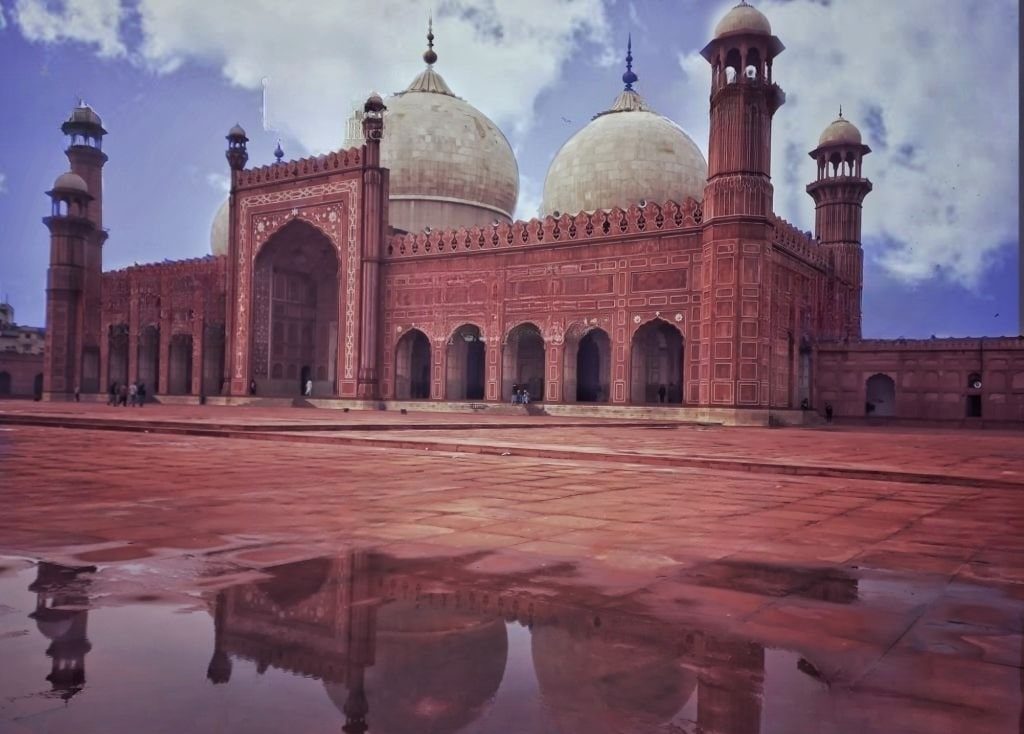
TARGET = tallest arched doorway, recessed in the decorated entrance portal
x,y
295,313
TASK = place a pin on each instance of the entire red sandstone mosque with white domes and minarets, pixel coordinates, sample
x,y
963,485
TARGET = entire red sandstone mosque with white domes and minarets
x,y
393,271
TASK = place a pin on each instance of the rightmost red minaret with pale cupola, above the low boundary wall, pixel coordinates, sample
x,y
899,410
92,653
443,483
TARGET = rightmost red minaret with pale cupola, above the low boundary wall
x,y
839,193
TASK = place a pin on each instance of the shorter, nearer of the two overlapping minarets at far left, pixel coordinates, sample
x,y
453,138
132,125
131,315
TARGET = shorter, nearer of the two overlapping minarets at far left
x,y
72,231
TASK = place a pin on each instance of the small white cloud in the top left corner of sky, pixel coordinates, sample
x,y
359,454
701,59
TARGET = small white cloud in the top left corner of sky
x,y
95,23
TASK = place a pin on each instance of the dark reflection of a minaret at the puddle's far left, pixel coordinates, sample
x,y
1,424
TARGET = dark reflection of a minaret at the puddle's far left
x,y
59,588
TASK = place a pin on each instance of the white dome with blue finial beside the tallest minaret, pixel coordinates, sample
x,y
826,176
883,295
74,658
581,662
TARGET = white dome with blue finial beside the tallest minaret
x,y
624,156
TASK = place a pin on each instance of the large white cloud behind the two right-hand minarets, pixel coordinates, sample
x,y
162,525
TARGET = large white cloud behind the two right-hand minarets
x,y
940,113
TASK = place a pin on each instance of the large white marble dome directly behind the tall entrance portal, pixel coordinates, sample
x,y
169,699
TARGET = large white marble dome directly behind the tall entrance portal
x,y
450,164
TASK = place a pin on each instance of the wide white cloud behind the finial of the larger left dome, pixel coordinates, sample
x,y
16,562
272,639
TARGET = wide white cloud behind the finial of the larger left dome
x,y
318,61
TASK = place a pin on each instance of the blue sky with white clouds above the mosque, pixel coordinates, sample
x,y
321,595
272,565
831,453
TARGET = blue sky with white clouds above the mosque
x,y
938,107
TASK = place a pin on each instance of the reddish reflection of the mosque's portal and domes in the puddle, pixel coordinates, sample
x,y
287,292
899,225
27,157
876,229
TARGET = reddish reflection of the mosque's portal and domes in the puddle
x,y
405,646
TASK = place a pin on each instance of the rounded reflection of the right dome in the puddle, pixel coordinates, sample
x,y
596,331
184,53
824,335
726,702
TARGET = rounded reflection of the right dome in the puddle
x,y
596,685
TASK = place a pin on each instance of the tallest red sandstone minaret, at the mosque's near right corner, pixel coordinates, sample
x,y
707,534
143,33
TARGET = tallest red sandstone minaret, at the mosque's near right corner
x,y
735,348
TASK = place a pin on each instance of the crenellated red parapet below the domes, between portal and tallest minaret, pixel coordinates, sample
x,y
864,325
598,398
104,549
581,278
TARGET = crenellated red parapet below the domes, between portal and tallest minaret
x,y
603,226
